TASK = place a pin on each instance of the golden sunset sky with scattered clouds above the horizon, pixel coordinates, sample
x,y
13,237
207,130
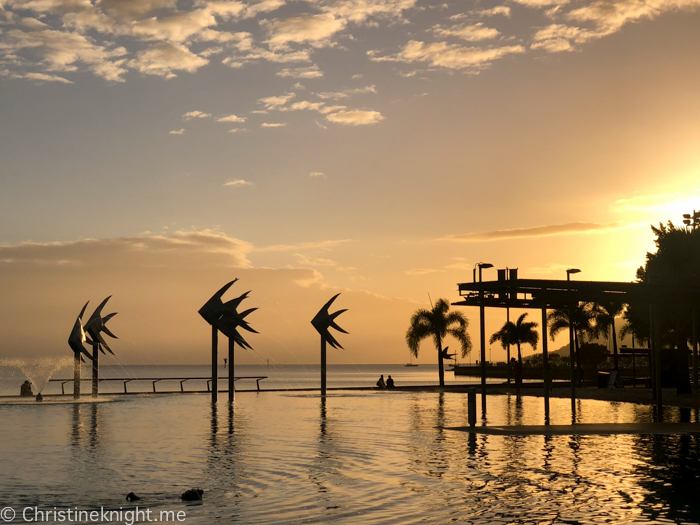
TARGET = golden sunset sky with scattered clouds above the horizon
x,y
154,150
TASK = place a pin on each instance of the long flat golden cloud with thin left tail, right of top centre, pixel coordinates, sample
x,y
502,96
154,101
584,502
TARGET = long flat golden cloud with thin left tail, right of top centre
x,y
450,56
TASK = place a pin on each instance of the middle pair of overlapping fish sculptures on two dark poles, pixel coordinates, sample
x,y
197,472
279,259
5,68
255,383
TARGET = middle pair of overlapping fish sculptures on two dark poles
x,y
224,317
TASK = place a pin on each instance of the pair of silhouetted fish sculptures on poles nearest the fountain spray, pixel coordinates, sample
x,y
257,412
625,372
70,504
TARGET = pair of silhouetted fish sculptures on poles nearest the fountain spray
x,y
91,333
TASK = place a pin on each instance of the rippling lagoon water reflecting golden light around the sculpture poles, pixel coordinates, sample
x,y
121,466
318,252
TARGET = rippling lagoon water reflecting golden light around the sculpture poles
x,y
360,457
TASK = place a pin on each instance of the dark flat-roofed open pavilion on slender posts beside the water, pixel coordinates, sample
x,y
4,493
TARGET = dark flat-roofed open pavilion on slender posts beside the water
x,y
547,294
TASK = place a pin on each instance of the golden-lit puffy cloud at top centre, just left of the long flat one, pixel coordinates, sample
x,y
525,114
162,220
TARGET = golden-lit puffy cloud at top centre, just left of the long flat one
x,y
315,29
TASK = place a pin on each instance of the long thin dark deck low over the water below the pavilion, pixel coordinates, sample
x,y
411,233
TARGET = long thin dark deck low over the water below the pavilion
x,y
589,429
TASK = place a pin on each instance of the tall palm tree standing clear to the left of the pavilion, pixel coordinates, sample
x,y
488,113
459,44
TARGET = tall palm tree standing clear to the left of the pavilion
x,y
438,323
